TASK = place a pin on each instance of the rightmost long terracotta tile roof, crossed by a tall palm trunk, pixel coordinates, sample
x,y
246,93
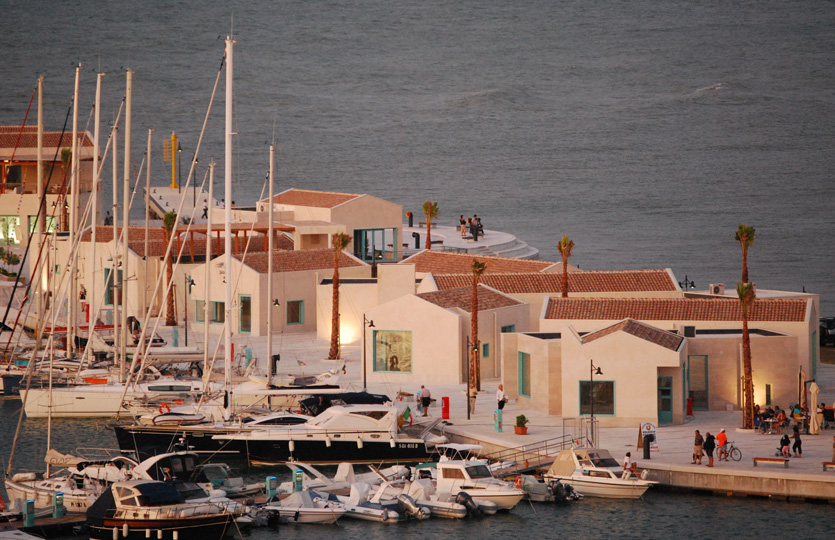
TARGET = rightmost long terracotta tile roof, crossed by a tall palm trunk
x,y
675,309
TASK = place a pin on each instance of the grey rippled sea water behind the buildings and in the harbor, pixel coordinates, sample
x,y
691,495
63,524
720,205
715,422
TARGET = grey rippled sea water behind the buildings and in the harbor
x,y
645,130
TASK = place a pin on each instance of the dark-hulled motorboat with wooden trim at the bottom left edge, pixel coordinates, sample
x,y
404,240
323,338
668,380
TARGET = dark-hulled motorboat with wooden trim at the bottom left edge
x,y
140,509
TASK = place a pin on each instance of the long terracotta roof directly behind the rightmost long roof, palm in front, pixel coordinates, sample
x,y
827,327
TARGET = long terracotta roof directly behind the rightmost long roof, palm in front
x,y
579,282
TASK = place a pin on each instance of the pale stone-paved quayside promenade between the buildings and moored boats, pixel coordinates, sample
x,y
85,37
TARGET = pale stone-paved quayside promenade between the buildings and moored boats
x,y
670,464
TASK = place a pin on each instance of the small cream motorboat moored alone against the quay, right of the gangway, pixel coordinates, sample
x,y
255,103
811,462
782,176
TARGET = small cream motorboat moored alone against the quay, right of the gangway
x,y
593,472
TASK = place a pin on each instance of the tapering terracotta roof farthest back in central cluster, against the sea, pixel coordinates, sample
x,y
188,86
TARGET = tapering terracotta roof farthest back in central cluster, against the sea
x,y
445,262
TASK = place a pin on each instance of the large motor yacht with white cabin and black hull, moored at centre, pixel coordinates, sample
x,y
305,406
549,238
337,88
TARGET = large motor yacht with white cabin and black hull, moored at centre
x,y
355,433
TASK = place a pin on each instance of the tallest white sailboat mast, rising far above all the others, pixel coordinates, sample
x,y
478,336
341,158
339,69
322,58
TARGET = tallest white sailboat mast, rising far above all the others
x,y
227,172
